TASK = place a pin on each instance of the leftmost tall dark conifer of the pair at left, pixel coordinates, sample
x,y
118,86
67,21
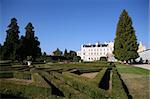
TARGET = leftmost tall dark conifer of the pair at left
x,y
9,49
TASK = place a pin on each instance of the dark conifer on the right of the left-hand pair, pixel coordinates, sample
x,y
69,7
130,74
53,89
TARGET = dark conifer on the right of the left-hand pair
x,y
29,45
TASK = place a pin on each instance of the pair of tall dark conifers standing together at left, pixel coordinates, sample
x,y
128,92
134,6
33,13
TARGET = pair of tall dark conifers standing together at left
x,y
16,48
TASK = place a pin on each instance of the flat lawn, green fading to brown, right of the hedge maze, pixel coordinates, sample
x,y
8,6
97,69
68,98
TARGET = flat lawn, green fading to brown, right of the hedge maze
x,y
136,79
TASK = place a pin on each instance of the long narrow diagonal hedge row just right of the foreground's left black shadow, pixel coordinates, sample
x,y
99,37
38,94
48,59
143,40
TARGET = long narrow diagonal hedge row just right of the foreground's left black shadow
x,y
67,90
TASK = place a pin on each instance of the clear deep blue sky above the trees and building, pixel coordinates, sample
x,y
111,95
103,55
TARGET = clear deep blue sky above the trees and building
x,y
70,23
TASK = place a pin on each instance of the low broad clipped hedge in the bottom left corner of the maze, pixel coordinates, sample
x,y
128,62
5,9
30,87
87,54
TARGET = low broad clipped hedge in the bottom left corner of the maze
x,y
19,90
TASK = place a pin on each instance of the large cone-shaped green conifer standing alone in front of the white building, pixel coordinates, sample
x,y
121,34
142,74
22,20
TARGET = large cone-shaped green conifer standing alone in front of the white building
x,y
125,45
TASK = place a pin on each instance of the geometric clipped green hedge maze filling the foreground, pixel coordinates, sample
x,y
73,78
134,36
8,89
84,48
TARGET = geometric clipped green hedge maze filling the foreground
x,y
62,81
